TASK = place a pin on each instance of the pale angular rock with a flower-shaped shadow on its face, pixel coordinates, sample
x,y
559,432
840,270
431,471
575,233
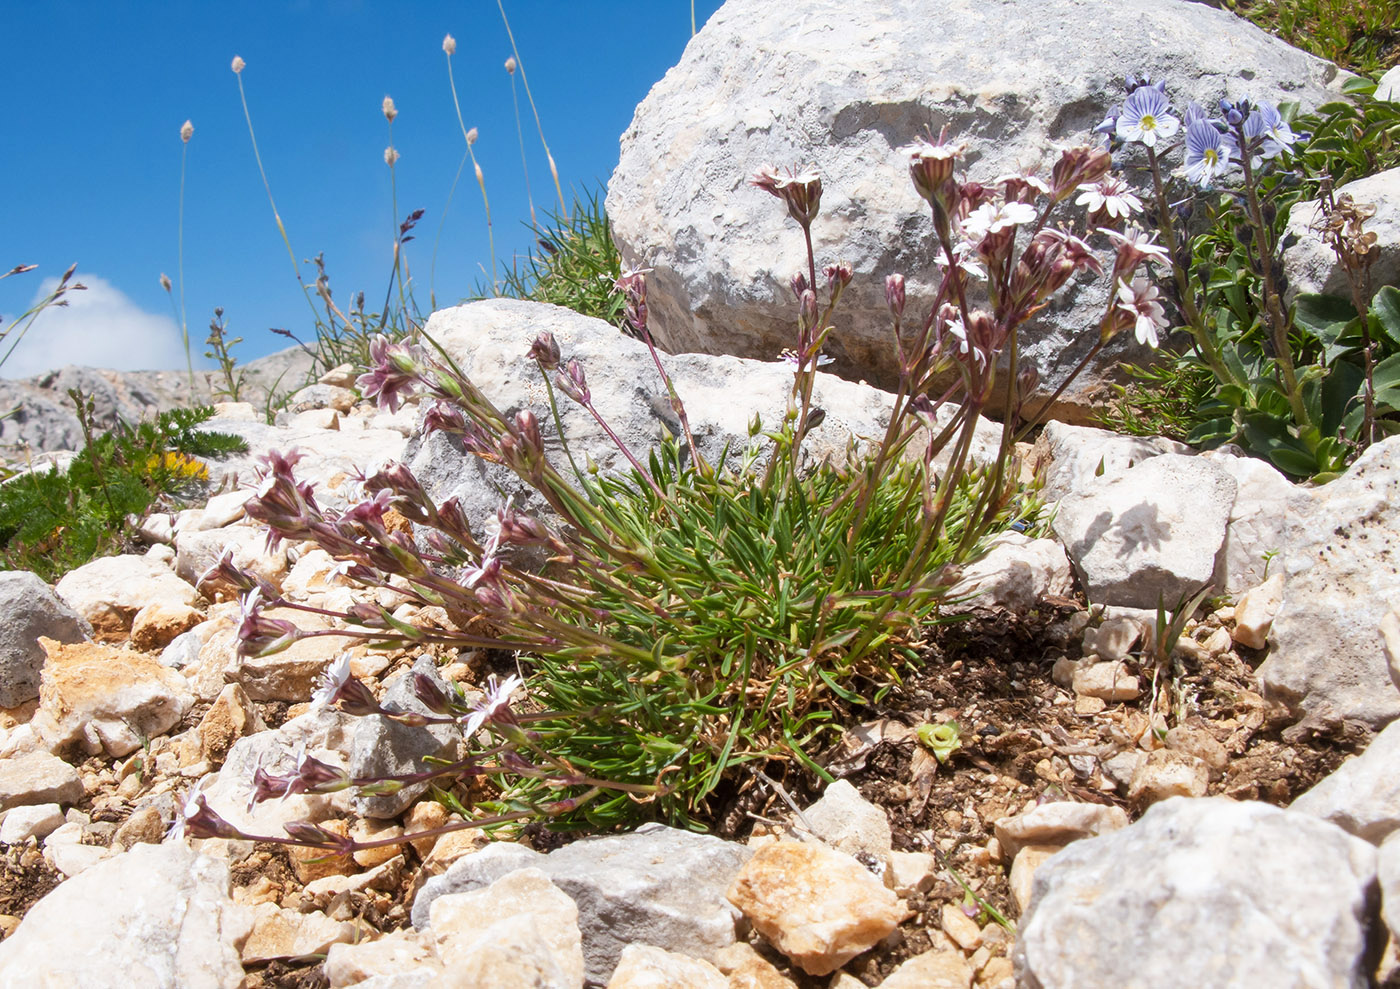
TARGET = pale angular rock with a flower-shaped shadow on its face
x,y
1151,534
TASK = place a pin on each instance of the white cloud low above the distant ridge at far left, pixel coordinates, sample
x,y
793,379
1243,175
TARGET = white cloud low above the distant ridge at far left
x,y
99,328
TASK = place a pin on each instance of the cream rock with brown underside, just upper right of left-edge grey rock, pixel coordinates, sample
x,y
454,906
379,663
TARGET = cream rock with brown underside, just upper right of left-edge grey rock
x,y
111,590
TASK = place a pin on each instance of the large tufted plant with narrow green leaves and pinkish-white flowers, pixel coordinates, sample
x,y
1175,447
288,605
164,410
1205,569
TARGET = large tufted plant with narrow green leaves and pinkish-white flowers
x,y
702,617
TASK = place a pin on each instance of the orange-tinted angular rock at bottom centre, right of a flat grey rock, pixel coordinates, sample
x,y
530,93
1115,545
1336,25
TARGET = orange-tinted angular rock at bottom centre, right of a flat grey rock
x,y
818,907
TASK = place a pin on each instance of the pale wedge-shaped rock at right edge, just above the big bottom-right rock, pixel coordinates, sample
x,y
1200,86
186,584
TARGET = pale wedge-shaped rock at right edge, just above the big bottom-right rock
x,y
1363,795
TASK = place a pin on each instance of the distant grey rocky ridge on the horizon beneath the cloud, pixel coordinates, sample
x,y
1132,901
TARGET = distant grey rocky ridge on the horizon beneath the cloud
x,y
45,421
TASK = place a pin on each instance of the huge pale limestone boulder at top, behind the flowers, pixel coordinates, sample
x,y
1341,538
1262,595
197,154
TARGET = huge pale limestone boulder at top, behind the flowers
x,y
842,88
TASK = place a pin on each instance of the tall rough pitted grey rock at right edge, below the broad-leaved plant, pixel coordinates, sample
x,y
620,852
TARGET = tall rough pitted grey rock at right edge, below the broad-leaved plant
x,y
1343,576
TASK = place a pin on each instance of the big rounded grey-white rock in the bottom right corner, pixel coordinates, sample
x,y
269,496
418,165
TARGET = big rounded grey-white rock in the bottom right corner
x,y
1193,896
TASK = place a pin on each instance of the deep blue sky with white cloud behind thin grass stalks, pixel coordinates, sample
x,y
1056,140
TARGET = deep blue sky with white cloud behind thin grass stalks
x,y
99,92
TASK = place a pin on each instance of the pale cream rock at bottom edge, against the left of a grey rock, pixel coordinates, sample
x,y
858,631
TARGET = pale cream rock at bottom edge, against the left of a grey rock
x,y
520,931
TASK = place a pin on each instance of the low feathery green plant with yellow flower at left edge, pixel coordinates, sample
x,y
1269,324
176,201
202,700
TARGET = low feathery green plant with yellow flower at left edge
x,y
55,520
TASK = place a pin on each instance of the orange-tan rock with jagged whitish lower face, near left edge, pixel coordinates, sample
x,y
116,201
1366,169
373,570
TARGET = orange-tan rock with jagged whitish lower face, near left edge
x,y
101,700
